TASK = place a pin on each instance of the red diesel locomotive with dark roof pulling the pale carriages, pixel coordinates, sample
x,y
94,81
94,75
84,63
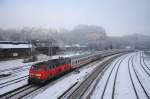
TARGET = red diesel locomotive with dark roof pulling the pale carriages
x,y
43,71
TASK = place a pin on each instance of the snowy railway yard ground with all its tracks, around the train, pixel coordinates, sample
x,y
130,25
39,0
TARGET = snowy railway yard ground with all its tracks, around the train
x,y
116,77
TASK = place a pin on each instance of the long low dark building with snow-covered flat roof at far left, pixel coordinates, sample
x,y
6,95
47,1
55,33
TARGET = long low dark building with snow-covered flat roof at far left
x,y
9,49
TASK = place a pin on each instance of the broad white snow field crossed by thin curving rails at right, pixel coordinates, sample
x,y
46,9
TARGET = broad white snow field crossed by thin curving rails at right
x,y
123,87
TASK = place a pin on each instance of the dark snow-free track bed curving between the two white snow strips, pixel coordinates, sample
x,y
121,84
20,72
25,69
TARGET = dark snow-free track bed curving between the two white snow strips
x,y
77,92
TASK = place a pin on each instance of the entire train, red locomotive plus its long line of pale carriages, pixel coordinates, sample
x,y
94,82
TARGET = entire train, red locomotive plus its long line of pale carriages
x,y
44,71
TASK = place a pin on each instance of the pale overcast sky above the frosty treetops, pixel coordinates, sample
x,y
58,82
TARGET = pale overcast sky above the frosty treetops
x,y
118,17
